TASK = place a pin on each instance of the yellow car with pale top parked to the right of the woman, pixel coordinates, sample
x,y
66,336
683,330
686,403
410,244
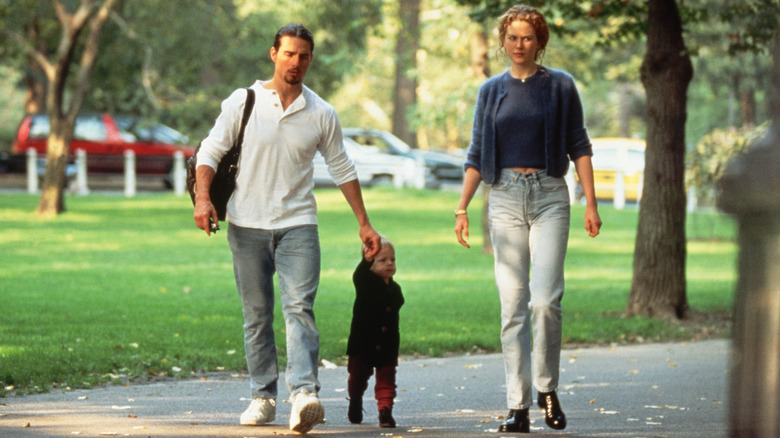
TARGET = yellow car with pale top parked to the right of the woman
x,y
611,156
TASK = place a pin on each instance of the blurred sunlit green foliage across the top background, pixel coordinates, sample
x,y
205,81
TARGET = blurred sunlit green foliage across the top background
x,y
175,61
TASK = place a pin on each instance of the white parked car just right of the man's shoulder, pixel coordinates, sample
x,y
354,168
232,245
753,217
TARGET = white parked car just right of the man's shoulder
x,y
373,167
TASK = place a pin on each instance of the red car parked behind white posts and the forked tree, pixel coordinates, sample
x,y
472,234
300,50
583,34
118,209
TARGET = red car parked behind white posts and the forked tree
x,y
105,138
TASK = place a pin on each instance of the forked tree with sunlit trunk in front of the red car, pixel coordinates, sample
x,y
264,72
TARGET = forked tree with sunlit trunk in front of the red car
x,y
80,30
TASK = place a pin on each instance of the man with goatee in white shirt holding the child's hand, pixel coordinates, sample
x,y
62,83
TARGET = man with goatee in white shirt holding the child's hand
x,y
273,221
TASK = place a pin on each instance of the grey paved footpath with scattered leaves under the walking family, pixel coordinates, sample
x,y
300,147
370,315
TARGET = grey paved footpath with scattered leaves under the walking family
x,y
649,391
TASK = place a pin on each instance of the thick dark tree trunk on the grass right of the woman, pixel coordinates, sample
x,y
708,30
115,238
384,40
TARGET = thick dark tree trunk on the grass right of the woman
x,y
658,288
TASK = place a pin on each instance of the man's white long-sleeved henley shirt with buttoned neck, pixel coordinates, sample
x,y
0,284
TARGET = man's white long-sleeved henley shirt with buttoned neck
x,y
274,186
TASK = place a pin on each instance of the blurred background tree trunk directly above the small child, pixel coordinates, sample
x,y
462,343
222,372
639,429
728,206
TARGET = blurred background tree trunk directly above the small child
x,y
405,90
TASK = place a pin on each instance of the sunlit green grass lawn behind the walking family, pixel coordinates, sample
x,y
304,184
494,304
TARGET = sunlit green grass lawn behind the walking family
x,y
121,289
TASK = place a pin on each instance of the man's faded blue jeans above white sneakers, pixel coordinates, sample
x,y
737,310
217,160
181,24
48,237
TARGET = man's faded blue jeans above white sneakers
x,y
294,254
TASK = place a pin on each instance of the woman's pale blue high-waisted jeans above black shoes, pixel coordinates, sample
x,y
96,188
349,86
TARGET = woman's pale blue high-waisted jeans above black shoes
x,y
529,228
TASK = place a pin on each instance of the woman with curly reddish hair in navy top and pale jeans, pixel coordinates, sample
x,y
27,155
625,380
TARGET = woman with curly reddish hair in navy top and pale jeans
x,y
528,124
